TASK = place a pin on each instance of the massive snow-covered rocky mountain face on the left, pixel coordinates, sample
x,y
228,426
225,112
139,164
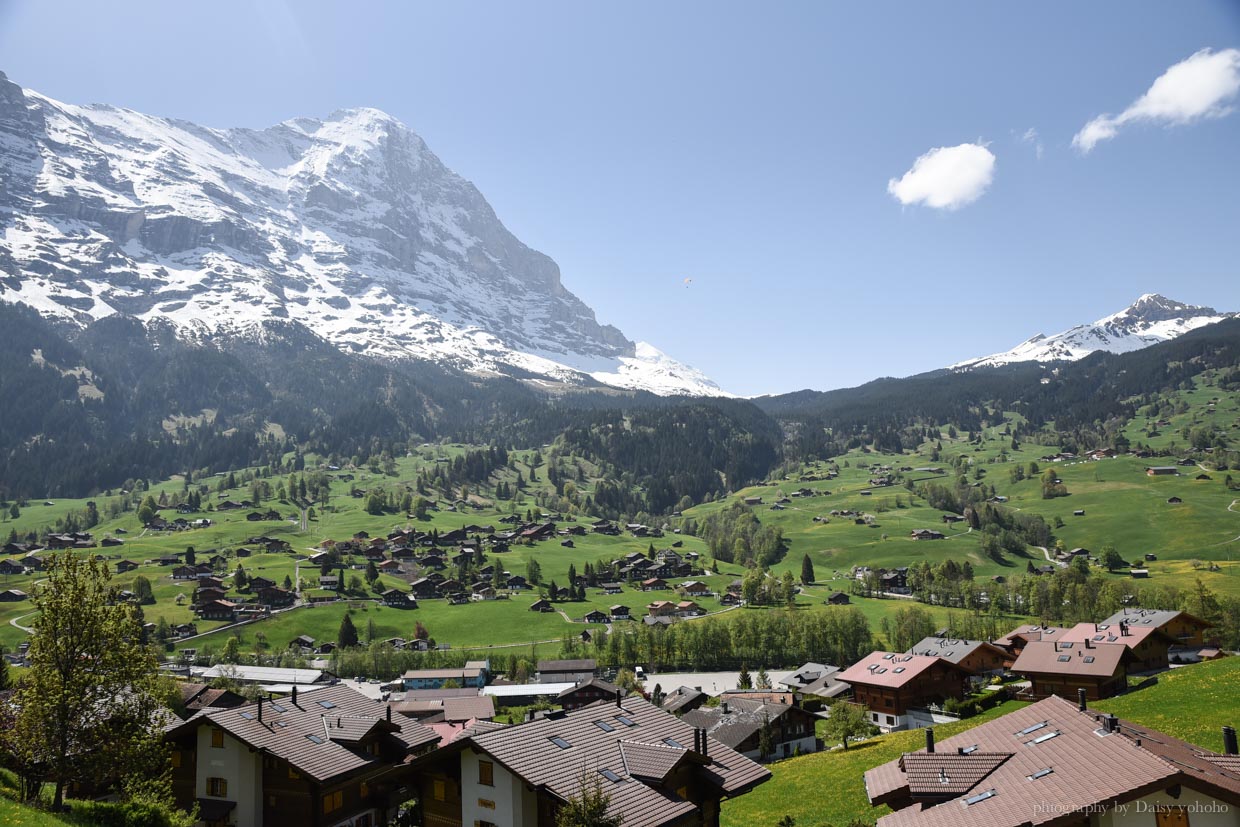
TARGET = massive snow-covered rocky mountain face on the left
x,y
350,226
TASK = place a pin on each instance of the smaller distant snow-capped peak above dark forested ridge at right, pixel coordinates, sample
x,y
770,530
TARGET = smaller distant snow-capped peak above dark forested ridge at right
x,y
1149,321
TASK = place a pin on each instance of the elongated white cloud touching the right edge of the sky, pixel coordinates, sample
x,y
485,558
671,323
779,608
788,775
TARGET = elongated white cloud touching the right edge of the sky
x,y
1198,87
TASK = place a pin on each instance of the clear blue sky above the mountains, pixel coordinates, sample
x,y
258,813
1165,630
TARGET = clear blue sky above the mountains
x,y
748,147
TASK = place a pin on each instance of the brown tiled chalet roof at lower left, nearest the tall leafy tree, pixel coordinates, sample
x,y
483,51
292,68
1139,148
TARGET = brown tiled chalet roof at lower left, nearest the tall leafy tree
x,y
316,735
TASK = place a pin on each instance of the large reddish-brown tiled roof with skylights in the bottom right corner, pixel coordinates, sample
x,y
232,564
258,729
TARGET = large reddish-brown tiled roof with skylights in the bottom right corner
x,y
1056,756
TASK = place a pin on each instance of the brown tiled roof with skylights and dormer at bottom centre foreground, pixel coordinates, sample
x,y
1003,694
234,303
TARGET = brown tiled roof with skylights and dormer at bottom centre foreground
x,y
588,747
